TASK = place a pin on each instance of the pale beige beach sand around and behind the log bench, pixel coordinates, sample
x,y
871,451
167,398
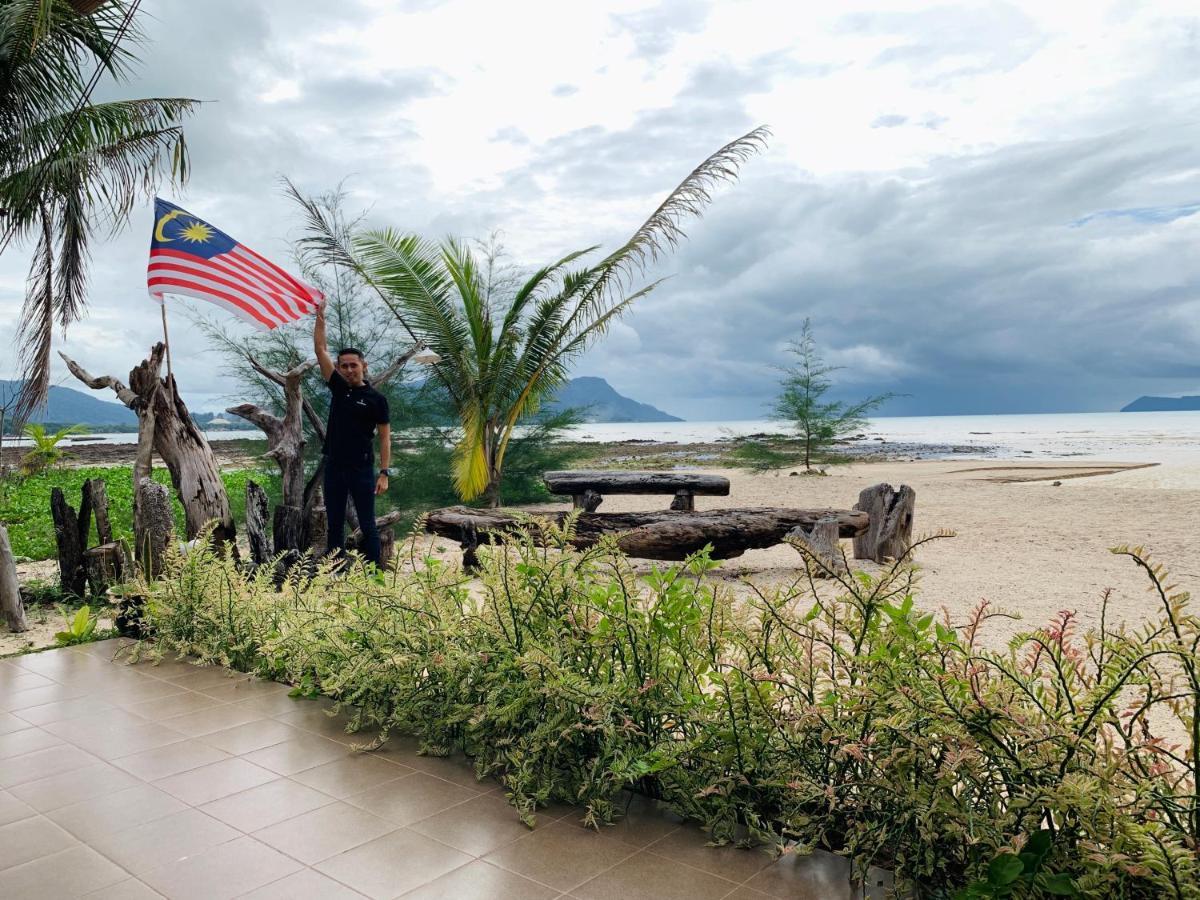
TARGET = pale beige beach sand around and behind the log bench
x,y
1027,547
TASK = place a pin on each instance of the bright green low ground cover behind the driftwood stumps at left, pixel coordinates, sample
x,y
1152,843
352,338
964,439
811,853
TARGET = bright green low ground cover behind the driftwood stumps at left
x,y
26,506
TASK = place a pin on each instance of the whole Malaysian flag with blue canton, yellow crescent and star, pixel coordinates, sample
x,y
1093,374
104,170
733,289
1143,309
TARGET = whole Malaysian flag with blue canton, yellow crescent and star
x,y
191,259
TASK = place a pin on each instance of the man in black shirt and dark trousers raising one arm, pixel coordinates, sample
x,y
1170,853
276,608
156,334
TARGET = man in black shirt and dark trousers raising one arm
x,y
357,412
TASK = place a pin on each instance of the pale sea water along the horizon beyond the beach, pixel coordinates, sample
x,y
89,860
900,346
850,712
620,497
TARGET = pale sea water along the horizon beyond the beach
x,y
1113,437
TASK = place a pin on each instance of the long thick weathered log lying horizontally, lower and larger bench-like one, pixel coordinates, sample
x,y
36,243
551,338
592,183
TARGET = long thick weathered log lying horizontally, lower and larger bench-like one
x,y
653,535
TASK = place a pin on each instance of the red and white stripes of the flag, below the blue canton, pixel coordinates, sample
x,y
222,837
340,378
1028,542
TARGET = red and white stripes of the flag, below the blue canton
x,y
241,280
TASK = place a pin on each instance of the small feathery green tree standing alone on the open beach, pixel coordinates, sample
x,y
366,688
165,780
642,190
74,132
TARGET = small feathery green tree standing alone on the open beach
x,y
819,422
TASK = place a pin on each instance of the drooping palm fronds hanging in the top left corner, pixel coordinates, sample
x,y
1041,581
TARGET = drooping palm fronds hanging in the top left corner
x,y
68,171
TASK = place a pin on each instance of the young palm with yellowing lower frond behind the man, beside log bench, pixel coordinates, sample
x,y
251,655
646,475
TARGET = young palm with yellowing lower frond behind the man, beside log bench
x,y
506,350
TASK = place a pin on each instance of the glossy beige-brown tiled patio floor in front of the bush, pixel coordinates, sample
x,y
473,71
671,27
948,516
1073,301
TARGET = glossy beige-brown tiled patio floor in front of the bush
x,y
172,781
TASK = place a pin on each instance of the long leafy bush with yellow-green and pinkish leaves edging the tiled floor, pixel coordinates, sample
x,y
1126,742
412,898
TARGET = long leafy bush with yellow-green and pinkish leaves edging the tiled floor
x,y
860,724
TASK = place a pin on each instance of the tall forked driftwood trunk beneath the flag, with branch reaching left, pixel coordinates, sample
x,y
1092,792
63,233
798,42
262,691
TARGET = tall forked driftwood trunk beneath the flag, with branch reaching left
x,y
164,419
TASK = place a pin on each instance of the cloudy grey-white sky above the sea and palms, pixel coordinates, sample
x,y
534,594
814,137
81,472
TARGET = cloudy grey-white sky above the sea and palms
x,y
988,207
